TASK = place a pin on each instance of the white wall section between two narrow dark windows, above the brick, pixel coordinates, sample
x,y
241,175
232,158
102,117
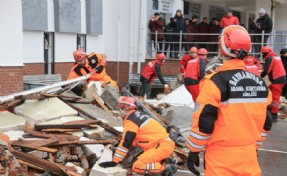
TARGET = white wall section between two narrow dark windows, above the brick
x,y
65,44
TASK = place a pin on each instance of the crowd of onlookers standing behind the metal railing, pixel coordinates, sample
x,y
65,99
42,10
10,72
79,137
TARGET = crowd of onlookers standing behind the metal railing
x,y
166,36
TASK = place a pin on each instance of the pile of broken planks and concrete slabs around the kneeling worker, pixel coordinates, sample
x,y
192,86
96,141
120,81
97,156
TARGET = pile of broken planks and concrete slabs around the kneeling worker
x,y
59,133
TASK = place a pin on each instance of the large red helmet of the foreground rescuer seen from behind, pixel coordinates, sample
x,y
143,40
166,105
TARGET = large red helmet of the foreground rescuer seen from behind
x,y
234,41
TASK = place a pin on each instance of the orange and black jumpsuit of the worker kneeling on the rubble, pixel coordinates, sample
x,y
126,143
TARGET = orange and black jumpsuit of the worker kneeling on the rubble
x,y
147,133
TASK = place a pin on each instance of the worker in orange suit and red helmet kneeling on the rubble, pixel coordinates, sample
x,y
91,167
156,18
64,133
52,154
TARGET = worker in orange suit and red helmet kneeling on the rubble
x,y
142,131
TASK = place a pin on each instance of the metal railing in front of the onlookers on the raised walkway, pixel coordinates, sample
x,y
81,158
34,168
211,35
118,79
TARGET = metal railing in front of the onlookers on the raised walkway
x,y
276,39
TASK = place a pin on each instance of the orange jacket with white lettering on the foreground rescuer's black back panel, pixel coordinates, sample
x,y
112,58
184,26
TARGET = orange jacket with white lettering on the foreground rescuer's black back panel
x,y
231,109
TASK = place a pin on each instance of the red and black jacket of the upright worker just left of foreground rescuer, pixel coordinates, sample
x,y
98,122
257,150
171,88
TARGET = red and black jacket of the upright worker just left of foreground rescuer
x,y
195,71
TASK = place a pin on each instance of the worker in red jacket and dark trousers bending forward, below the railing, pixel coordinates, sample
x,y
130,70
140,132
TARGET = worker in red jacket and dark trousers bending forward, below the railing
x,y
150,72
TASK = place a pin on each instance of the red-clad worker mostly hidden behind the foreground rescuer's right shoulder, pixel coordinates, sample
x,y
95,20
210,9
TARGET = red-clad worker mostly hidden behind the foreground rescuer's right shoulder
x,y
252,65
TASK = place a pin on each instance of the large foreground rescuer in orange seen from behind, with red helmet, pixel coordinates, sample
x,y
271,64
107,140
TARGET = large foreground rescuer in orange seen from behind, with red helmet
x,y
231,118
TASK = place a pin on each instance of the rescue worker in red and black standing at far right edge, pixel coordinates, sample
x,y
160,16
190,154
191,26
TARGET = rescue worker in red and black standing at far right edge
x,y
275,70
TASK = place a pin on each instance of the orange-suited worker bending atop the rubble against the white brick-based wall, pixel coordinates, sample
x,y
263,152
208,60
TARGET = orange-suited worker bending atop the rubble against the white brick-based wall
x,y
92,63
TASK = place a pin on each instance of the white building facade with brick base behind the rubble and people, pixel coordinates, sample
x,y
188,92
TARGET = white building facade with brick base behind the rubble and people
x,y
38,37
